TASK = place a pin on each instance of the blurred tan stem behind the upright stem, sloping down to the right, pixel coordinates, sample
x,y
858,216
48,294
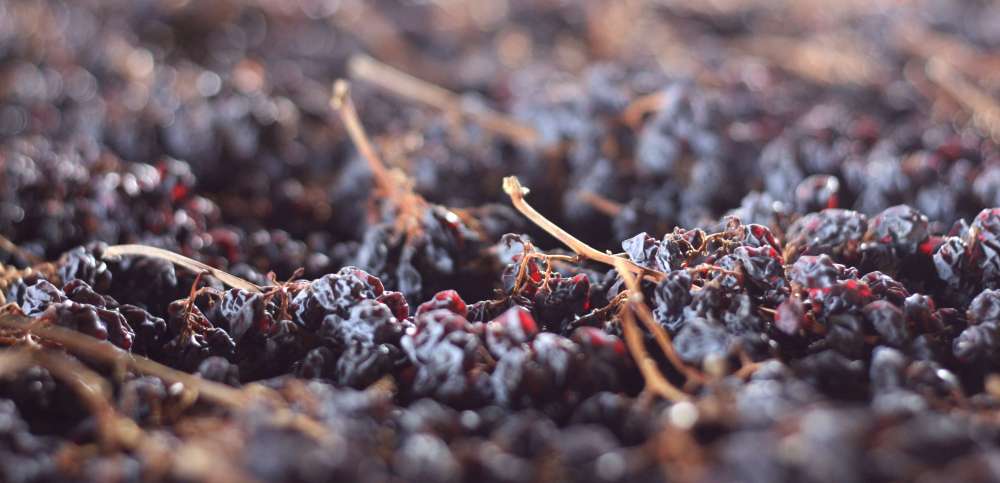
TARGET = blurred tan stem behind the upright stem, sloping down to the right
x,y
409,87
